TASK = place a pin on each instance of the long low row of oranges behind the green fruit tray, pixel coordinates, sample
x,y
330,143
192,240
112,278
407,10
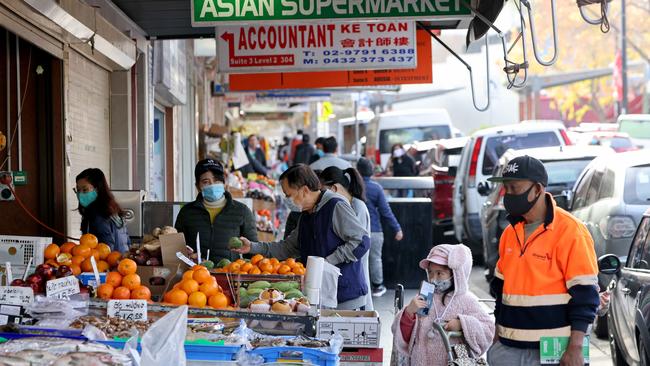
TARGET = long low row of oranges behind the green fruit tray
x,y
259,265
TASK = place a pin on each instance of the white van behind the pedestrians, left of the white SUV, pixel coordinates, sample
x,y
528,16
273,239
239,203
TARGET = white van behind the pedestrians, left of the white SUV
x,y
406,127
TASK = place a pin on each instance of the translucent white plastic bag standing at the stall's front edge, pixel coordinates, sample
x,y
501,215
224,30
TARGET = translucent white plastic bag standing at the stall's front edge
x,y
163,343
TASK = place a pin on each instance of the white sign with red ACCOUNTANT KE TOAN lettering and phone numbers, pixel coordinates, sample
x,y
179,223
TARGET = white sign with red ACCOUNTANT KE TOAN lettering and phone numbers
x,y
317,46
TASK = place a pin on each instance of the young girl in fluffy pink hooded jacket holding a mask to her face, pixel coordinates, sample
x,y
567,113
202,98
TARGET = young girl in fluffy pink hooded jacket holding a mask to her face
x,y
448,267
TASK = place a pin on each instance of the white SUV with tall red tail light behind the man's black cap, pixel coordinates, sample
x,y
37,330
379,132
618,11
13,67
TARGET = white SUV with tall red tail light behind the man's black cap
x,y
480,158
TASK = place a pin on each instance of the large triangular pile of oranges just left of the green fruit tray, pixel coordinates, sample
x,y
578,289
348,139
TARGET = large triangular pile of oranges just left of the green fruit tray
x,y
198,288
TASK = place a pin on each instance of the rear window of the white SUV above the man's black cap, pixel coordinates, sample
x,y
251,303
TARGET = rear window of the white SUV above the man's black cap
x,y
497,145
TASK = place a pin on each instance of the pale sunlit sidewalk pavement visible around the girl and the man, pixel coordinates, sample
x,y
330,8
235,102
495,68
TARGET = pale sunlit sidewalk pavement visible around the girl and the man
x,y
599,350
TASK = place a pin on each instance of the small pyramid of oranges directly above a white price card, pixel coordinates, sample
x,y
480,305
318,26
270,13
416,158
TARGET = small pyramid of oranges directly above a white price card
x,y
124,284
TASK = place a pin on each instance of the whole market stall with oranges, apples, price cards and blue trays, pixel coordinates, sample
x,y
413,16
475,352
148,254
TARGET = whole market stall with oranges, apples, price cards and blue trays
x,y
80,301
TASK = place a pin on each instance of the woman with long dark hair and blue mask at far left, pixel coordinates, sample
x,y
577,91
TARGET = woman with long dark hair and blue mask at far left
x,y
101,215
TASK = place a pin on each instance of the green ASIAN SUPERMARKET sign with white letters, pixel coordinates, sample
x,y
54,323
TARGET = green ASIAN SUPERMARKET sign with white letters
x,y
207,13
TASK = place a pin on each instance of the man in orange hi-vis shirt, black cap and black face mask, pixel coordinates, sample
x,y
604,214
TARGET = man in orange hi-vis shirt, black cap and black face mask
x,y
546,277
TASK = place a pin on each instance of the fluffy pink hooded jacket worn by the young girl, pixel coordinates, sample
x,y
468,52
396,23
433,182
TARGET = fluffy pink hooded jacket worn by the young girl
x,y
477,325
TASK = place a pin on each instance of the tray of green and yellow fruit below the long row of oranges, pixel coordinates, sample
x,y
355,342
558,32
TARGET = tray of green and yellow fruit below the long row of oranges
x,y
270,292
